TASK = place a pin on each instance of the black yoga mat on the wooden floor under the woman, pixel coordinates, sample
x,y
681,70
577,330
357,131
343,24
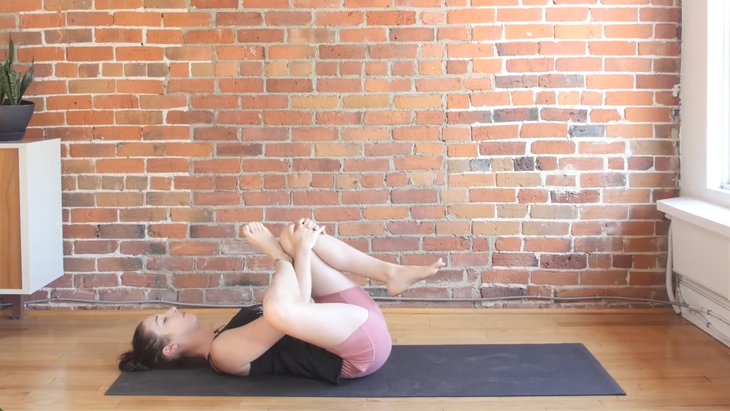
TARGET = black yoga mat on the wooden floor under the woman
x,y
498,370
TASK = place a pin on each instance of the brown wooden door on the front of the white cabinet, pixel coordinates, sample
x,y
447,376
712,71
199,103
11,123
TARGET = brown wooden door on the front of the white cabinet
x,y
10,249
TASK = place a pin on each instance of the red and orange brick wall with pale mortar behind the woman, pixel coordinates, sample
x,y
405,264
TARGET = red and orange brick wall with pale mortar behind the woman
x,y
526,141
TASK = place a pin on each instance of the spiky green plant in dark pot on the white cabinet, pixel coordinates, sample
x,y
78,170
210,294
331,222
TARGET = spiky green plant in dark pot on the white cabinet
x,y
15,113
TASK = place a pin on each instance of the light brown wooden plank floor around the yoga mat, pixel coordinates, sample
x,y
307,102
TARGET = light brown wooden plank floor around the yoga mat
x,y
66,360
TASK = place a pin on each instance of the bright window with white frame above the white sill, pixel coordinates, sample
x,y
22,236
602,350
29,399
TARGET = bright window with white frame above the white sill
x,y
705,101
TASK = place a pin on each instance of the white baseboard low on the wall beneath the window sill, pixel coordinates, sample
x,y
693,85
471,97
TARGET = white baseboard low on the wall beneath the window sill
x,y
693,294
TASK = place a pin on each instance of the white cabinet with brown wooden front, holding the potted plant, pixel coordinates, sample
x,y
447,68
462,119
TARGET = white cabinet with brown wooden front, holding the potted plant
x,y
31,221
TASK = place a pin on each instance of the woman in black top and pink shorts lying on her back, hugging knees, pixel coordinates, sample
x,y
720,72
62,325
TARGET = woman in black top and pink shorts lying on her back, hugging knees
x,y
314,321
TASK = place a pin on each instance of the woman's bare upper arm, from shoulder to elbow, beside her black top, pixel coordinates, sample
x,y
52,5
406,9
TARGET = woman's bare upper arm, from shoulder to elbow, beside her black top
x,y
234,350
